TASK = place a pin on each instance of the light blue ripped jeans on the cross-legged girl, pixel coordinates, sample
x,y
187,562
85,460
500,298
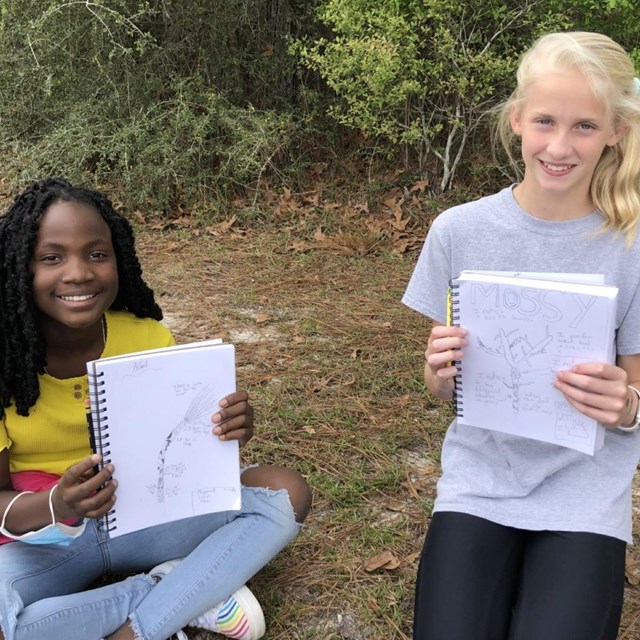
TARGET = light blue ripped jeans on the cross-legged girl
x,y
42,587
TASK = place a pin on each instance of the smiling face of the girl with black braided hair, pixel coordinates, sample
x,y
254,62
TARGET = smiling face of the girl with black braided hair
x,y
75,273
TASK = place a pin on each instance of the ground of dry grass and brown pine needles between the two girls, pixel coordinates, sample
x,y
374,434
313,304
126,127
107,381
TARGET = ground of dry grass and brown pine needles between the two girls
x,y
333,363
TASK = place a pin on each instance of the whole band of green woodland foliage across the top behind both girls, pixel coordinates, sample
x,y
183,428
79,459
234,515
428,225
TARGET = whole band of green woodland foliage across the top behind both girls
x,y
188,104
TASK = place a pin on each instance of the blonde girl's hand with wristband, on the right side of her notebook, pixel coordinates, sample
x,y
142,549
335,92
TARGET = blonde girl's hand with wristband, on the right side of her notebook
x,y
597,390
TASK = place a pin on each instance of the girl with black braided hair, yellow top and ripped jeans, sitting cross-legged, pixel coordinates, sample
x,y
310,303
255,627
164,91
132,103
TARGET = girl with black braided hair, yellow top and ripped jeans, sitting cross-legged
x,y
72,290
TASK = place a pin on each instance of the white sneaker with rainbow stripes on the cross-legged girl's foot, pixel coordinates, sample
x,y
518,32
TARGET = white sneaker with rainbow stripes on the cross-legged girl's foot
x,y
239,616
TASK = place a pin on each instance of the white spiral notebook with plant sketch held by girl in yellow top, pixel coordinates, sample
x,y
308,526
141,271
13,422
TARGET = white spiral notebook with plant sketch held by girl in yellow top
x,y
151,417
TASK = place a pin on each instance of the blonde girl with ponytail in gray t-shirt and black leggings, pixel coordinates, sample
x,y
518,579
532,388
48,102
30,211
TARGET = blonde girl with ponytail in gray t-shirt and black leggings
x,y
527,539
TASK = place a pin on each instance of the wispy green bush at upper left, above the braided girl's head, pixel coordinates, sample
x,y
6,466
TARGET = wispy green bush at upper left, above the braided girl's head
x,y
153,99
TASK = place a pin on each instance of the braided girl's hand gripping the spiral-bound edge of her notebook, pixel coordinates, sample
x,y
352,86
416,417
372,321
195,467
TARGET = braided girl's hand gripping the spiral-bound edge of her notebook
x,y
81,494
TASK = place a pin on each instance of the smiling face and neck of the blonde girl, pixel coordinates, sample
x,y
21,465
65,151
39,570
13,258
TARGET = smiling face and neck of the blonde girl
x,y
564,129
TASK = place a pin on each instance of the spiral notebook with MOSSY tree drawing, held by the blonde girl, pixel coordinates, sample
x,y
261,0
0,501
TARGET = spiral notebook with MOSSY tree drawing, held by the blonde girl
x,y
523,328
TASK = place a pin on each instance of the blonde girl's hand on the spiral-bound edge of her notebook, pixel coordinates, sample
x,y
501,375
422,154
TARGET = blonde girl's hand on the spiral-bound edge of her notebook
x,y
445,345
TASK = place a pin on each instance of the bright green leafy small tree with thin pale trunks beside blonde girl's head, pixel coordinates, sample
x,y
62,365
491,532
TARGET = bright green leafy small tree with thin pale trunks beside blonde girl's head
x,y
421,73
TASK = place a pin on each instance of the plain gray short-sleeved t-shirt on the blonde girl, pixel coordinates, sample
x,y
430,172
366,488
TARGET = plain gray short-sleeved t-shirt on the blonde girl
x,y
507,479
